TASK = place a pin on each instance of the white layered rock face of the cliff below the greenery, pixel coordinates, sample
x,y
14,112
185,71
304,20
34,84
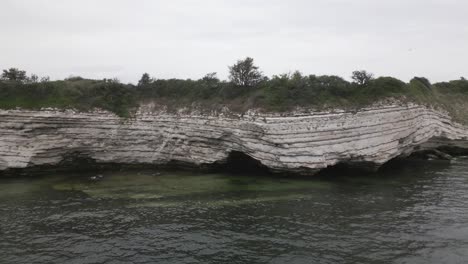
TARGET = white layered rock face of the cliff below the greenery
x,y
294,142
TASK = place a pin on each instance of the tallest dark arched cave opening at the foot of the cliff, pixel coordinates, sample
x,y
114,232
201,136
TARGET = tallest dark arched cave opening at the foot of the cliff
x,y
239,162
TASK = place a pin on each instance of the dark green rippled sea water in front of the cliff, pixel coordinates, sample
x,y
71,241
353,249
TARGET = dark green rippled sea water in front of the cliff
x,y
416,214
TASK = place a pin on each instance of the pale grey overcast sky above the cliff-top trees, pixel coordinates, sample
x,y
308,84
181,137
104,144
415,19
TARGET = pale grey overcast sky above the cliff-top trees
x,y
189,38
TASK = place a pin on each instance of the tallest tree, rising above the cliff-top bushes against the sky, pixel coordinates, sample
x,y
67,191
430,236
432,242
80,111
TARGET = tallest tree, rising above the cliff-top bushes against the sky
x,y
245,73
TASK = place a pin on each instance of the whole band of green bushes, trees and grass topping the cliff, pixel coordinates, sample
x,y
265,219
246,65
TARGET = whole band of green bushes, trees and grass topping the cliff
x,y
247,88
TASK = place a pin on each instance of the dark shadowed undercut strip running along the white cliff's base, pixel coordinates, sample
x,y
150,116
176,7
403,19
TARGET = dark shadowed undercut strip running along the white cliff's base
x,y
241,163
